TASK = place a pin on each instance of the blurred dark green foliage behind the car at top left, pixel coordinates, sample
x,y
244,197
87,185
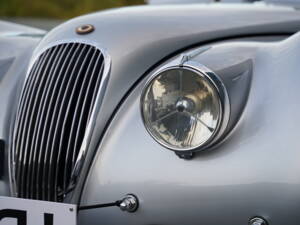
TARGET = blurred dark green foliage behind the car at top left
x,y
59,9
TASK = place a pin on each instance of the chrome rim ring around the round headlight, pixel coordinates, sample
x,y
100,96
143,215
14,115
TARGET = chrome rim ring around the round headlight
x,y
223,102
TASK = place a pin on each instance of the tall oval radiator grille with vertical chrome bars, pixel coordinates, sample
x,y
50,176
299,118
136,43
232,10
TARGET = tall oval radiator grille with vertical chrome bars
x,y
52,118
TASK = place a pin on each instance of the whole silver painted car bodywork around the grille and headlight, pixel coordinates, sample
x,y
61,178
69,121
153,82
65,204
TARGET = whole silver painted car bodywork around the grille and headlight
x,y
251,171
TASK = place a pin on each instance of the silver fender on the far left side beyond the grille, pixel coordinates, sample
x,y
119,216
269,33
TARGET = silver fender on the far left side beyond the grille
x,y
14,59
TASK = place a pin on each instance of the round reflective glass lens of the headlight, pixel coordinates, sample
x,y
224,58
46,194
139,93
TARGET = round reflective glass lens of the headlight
x,y
181,108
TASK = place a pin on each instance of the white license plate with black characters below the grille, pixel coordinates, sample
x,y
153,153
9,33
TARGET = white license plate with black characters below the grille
x,y
16,211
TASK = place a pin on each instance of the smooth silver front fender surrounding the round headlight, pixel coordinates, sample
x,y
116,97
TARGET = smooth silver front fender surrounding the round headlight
x,y
243,176
